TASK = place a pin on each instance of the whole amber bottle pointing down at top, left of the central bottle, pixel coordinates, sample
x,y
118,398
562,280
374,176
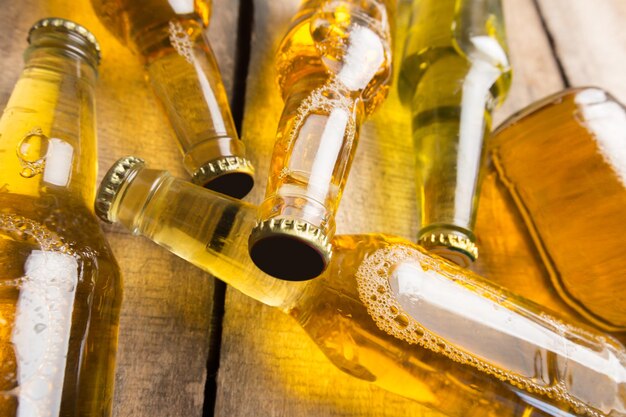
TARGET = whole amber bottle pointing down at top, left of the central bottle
x,y
170,37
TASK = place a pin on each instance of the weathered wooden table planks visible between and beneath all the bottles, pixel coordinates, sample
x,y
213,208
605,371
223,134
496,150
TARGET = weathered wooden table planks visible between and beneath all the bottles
x,y
177,327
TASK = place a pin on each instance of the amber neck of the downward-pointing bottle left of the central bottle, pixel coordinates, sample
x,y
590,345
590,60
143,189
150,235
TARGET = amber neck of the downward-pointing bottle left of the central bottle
x,y
186,79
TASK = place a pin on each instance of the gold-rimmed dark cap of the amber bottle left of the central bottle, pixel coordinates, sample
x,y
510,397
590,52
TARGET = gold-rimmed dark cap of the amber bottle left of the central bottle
x,y
230,175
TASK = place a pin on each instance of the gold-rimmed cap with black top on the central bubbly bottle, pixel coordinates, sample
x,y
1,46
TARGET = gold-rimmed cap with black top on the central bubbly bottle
x,y
289,249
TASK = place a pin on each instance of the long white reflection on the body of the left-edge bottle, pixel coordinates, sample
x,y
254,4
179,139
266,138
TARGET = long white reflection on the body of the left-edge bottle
x,y
42,330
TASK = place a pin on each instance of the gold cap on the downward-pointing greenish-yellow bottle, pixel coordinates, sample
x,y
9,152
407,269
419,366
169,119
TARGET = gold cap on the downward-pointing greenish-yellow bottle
x,y
455,247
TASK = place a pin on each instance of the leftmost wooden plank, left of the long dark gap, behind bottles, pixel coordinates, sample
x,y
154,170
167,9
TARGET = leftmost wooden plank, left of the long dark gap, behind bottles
x,y
166,323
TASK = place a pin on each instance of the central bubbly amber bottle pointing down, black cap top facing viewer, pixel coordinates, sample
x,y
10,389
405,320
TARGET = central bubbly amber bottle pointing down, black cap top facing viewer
x,y
334,69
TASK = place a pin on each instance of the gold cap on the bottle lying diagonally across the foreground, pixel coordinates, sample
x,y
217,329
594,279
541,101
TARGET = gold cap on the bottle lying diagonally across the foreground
x,y
112,183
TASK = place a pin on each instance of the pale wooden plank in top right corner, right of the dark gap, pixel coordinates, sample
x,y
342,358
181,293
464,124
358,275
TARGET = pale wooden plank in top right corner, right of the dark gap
x,y
589,39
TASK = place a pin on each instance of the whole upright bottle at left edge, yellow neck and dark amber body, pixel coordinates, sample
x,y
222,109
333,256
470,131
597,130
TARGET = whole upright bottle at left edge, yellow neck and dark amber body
x,y
60,288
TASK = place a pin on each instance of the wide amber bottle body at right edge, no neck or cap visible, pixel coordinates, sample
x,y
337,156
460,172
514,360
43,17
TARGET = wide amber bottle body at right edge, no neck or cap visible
x,y
558,168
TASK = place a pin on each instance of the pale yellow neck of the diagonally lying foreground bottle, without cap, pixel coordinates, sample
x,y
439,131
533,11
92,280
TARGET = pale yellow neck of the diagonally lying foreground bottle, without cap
x,y
205,228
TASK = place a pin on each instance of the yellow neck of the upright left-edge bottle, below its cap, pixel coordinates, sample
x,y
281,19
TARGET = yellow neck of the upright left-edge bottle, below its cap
x,y
48,128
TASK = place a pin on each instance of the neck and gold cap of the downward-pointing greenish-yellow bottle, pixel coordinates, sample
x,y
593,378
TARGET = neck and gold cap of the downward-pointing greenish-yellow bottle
x,y
450,128
